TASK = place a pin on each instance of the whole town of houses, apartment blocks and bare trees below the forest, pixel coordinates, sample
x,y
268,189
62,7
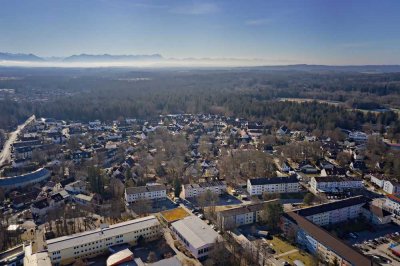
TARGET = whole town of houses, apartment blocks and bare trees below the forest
x,y
193,189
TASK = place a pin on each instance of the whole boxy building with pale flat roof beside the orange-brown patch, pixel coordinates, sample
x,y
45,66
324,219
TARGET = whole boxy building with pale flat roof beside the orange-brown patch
x,y
195,235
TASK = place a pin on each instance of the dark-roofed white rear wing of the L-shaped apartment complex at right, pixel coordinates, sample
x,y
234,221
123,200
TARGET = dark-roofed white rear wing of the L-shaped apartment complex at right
x,y
334,212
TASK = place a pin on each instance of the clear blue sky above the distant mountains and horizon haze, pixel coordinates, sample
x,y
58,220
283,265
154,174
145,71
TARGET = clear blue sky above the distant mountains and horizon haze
x,y
334,32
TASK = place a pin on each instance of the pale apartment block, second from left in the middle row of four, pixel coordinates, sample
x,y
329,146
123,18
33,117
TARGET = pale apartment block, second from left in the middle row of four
x,y
195,190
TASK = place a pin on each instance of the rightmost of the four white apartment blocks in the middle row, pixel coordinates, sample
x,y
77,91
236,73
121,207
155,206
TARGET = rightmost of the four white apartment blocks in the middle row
x,y
334,183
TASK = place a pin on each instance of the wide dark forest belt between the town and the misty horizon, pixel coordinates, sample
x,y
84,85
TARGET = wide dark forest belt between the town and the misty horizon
x,y
254,94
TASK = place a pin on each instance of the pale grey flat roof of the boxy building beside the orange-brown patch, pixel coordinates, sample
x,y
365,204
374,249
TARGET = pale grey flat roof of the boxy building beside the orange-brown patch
x,y
195,231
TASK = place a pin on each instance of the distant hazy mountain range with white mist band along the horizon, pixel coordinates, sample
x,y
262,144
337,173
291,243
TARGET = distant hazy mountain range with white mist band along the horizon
x,y
154,60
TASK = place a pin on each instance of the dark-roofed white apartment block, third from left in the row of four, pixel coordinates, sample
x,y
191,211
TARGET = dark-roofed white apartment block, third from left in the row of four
x,y
258,186
